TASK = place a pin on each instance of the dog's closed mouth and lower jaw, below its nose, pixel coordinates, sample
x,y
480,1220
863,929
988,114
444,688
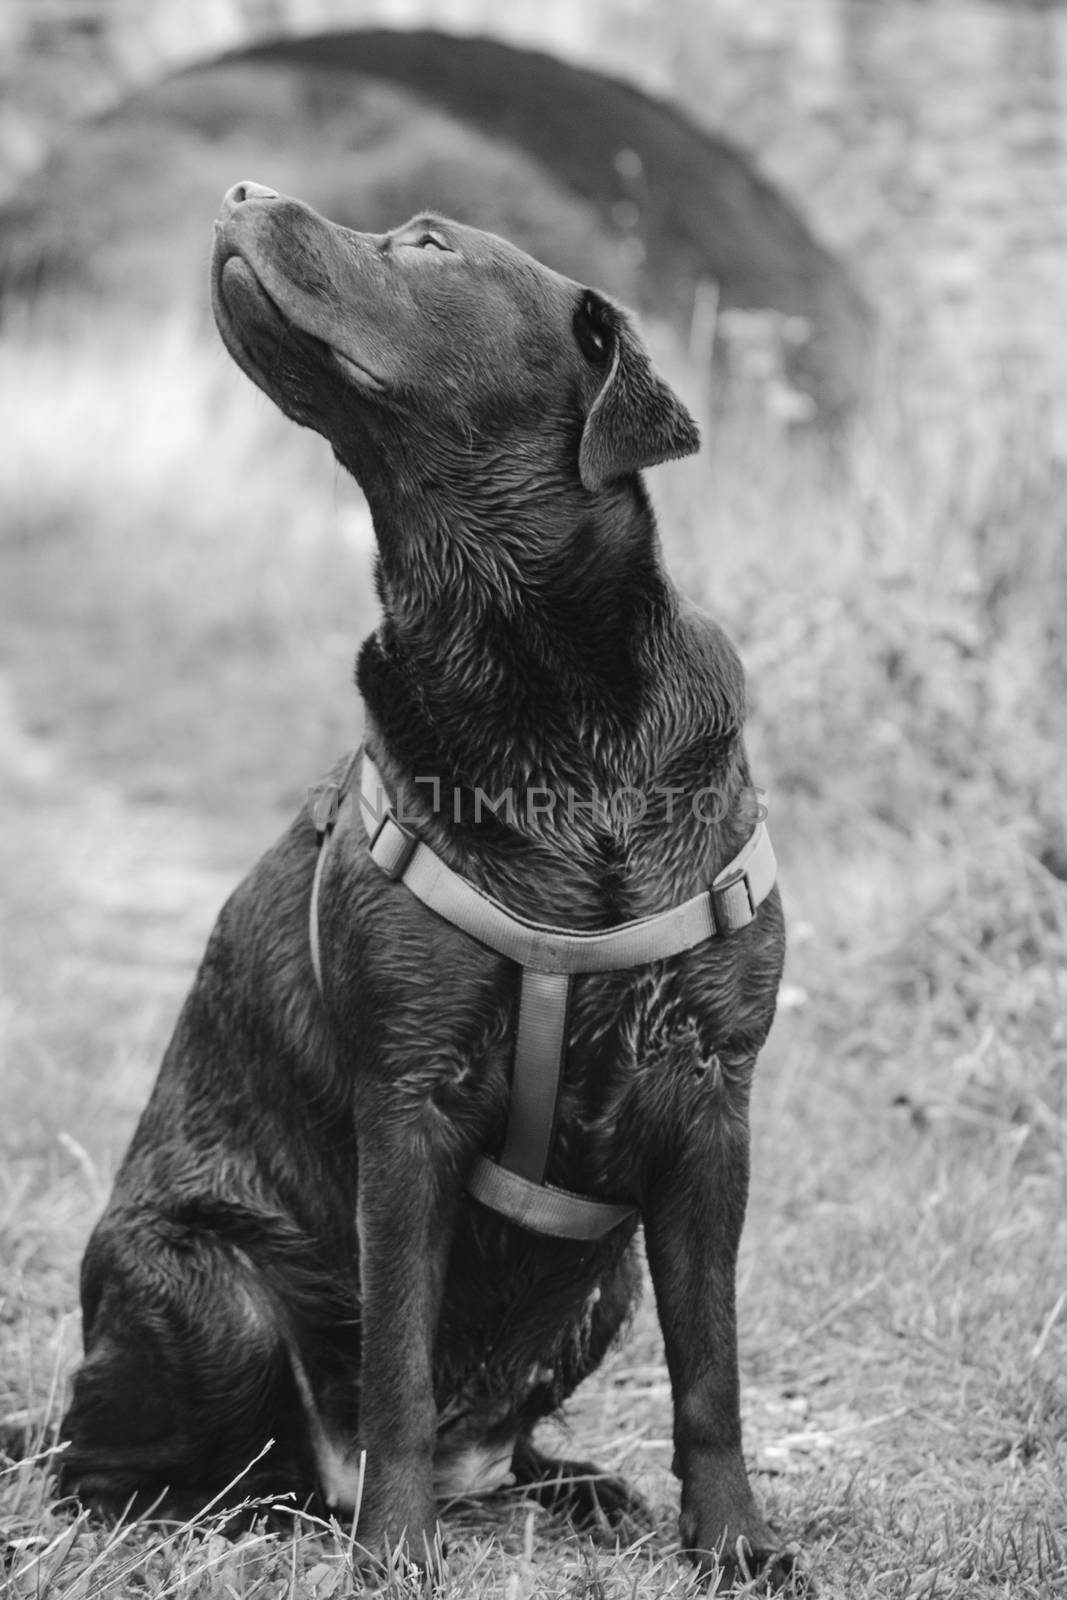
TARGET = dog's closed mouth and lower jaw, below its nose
x,y
255,327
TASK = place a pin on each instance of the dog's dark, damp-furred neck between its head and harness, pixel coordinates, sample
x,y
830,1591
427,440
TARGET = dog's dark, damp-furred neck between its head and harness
x,y
511,642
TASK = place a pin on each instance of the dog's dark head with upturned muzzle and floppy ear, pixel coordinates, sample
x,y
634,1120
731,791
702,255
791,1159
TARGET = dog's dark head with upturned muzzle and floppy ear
x,y
438,342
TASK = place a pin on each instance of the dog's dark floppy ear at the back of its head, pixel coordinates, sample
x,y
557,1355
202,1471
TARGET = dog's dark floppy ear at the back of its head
x,y
636,420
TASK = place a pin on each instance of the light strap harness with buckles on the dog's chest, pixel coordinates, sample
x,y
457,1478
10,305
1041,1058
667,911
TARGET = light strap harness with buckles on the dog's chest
x,y
548,958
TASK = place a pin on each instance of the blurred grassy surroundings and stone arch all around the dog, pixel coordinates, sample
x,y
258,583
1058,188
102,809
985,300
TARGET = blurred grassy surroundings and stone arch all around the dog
x,y
845,228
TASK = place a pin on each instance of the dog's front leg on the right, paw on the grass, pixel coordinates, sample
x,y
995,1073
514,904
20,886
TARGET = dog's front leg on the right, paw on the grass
x,y
693,1218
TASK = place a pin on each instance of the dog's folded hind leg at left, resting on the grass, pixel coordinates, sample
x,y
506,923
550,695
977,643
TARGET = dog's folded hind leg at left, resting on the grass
x,y
186,1383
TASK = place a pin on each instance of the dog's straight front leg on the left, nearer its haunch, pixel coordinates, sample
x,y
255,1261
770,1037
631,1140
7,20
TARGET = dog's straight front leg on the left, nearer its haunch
x,y
407,1209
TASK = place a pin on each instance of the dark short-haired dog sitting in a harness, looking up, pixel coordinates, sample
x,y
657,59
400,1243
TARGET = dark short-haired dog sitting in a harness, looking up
x,y
292,1254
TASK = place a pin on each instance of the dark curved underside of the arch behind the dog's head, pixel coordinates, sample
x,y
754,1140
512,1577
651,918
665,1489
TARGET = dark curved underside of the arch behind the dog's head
x,y
701,209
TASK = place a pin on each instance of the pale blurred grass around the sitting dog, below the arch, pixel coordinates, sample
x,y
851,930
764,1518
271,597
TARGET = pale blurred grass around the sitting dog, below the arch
x,y
183,582
